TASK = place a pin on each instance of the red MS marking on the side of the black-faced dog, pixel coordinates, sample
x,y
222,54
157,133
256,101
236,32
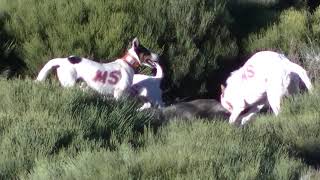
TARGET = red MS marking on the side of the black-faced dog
x,y
105,77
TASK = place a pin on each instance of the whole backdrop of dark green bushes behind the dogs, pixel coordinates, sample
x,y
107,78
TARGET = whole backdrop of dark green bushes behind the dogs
x,y
193,37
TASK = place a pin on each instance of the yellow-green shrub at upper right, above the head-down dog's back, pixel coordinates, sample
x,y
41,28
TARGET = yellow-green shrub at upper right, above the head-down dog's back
x,y
297,35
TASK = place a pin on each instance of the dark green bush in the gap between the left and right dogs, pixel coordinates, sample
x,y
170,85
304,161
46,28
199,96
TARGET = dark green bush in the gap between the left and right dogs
x,y
200,38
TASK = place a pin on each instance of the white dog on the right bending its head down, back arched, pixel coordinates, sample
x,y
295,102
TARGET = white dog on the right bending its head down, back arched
x,y
262,81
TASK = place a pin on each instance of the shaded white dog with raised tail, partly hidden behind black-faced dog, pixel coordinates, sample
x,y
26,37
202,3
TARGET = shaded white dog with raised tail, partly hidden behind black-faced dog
x,y
148,88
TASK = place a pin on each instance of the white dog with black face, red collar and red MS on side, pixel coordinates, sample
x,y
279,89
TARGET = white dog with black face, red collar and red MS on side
x,y
113,78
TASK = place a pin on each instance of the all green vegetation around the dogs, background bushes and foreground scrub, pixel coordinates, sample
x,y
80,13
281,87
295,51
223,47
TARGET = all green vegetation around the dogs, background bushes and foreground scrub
x,y
47,132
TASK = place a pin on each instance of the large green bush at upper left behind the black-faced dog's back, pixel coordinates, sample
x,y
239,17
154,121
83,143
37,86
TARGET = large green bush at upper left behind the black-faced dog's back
x,y
94,29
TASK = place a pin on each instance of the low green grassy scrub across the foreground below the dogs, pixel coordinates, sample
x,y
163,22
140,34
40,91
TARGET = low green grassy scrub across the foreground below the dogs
x,y
52,133
